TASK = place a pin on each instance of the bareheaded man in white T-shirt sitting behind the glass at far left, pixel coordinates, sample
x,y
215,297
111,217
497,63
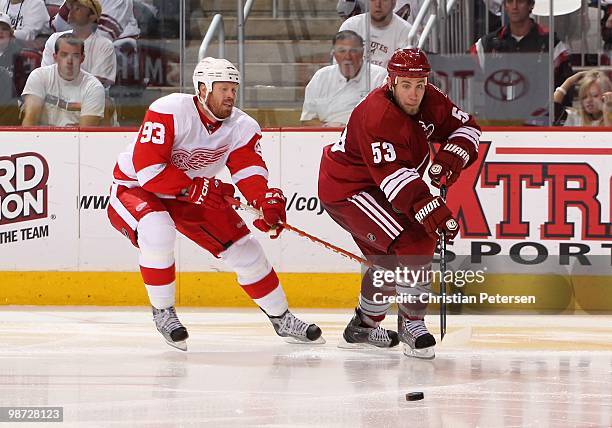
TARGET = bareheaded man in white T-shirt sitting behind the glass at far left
x,y
62,94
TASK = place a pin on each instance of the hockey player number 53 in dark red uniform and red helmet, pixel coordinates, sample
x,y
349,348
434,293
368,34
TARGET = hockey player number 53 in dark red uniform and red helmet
x,y
371,184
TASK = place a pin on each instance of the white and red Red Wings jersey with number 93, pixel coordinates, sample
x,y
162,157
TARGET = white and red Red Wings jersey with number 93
x,y
177,143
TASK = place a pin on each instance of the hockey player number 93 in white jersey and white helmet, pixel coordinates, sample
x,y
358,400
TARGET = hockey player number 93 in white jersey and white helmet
x,y
164,182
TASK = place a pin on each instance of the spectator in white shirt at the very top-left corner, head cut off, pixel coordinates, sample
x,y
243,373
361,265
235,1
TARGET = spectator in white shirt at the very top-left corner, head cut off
x,y
29,18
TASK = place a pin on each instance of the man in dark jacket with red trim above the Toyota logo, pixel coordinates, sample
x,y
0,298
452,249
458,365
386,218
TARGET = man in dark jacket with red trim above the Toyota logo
x,y
524,35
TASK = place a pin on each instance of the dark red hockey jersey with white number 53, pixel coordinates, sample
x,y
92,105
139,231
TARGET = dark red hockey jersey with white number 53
x,y
383,147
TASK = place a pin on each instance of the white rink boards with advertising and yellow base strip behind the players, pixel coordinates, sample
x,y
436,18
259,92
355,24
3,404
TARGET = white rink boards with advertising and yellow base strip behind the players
x,y
534,200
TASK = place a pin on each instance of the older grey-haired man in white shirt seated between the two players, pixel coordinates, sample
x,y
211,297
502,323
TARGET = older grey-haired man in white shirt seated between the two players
x,y
335,90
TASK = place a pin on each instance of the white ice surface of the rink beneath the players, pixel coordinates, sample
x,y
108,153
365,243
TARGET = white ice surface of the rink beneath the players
x,y
110,367
